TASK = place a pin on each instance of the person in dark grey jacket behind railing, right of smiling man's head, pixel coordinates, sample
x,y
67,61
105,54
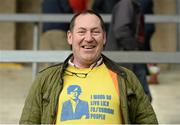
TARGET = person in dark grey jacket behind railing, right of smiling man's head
x,y
126,33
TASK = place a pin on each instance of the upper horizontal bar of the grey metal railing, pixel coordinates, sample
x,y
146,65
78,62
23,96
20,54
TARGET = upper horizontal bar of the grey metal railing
x,y
38,18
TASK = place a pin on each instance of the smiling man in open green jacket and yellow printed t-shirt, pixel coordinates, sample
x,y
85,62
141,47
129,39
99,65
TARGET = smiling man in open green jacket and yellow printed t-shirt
x,y
113,93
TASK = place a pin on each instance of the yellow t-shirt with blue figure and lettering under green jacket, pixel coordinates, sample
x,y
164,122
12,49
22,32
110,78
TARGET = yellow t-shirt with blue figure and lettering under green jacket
x,y
89,98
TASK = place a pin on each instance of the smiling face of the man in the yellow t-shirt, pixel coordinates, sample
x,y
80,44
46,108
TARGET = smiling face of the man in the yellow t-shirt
x,y
87,39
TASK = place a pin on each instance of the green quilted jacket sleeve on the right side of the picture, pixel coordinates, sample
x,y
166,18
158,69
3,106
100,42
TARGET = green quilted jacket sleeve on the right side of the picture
x,y
140,108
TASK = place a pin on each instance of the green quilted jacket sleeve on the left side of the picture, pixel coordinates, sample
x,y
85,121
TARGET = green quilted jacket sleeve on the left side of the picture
x,y
32,108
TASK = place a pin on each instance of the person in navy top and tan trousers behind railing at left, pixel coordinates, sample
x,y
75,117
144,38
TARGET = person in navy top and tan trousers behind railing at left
x,y
53,35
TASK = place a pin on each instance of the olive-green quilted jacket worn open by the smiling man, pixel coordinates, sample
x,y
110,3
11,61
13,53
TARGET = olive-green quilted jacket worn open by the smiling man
x,y
42,101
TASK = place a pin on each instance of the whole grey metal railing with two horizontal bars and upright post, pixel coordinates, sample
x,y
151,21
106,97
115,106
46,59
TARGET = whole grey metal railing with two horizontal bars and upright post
x,y
36,56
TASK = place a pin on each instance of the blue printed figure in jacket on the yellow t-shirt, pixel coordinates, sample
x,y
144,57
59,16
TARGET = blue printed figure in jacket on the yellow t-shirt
x,y
74,108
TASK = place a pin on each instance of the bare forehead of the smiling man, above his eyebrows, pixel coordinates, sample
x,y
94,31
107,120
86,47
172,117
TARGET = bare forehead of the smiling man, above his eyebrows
x,y
87,20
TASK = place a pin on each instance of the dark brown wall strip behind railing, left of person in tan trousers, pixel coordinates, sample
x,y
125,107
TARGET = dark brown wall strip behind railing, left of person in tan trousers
x,y
24,31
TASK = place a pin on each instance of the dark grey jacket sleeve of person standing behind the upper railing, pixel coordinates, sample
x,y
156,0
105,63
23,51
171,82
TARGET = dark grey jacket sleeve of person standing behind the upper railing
x,y
123,14
